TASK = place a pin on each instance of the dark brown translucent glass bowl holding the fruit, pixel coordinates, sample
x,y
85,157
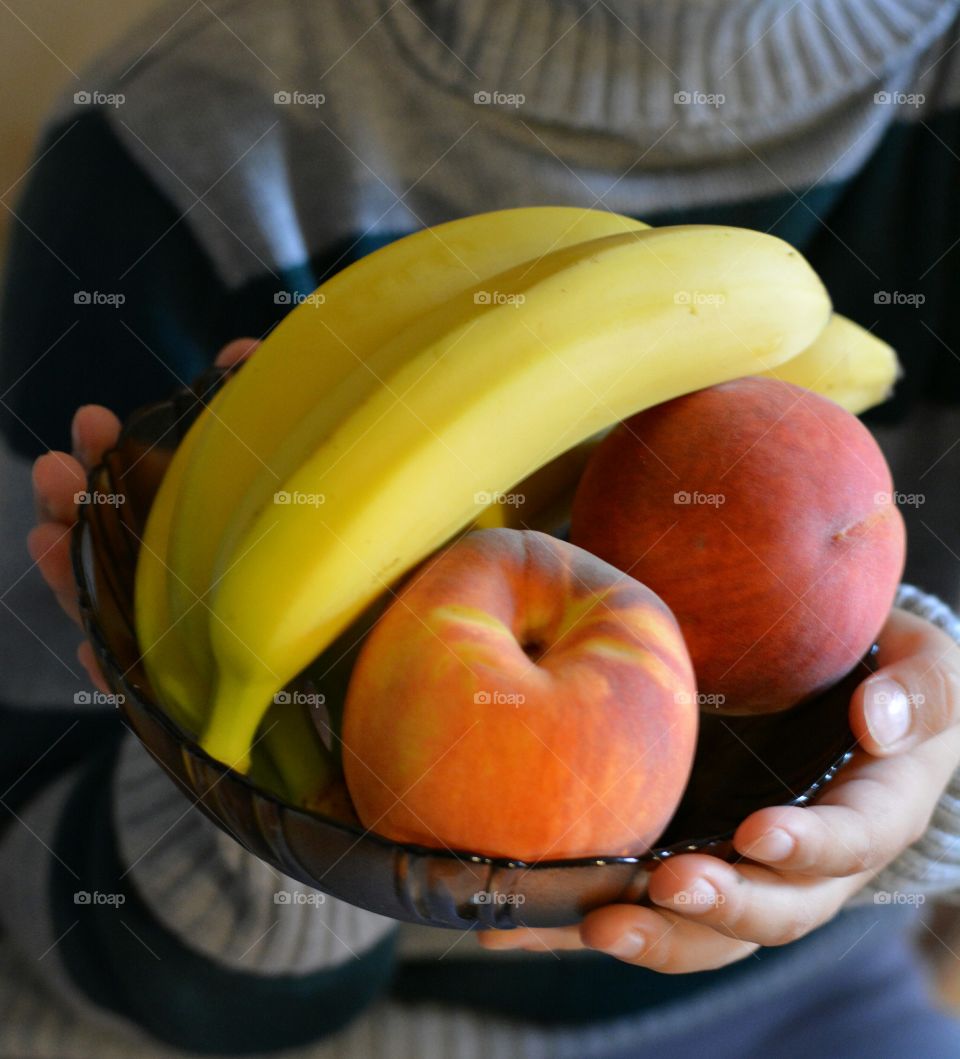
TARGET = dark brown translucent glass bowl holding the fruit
x,y
742,764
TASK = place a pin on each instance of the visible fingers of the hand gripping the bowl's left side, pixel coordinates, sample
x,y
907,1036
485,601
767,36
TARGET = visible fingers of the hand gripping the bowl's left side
x,y
58,477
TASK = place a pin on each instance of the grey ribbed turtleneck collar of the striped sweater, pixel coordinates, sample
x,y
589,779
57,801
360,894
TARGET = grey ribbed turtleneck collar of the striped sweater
x,y
626,67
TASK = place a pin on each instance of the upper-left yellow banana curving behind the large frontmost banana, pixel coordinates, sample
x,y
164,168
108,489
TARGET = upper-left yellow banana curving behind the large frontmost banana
x,y
274,412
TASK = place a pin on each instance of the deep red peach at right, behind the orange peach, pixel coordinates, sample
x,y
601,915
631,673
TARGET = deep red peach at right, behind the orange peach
x,y
763,515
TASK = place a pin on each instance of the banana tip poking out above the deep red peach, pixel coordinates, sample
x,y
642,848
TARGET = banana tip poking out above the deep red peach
x,y
846,364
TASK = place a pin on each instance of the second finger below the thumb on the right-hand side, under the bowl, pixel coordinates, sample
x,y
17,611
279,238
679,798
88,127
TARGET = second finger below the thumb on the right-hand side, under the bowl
x,y
747,903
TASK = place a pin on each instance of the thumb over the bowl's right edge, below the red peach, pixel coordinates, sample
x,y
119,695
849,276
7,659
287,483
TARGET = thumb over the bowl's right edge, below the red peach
x,y
916,693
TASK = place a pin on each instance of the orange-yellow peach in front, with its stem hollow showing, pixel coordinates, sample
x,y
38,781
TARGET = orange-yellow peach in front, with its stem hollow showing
x,y
521,699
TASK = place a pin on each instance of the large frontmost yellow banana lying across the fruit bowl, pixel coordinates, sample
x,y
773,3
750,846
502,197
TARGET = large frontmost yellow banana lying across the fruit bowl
x,y
473,399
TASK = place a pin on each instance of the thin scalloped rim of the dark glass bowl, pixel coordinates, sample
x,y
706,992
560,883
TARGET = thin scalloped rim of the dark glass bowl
x,y
189,746
